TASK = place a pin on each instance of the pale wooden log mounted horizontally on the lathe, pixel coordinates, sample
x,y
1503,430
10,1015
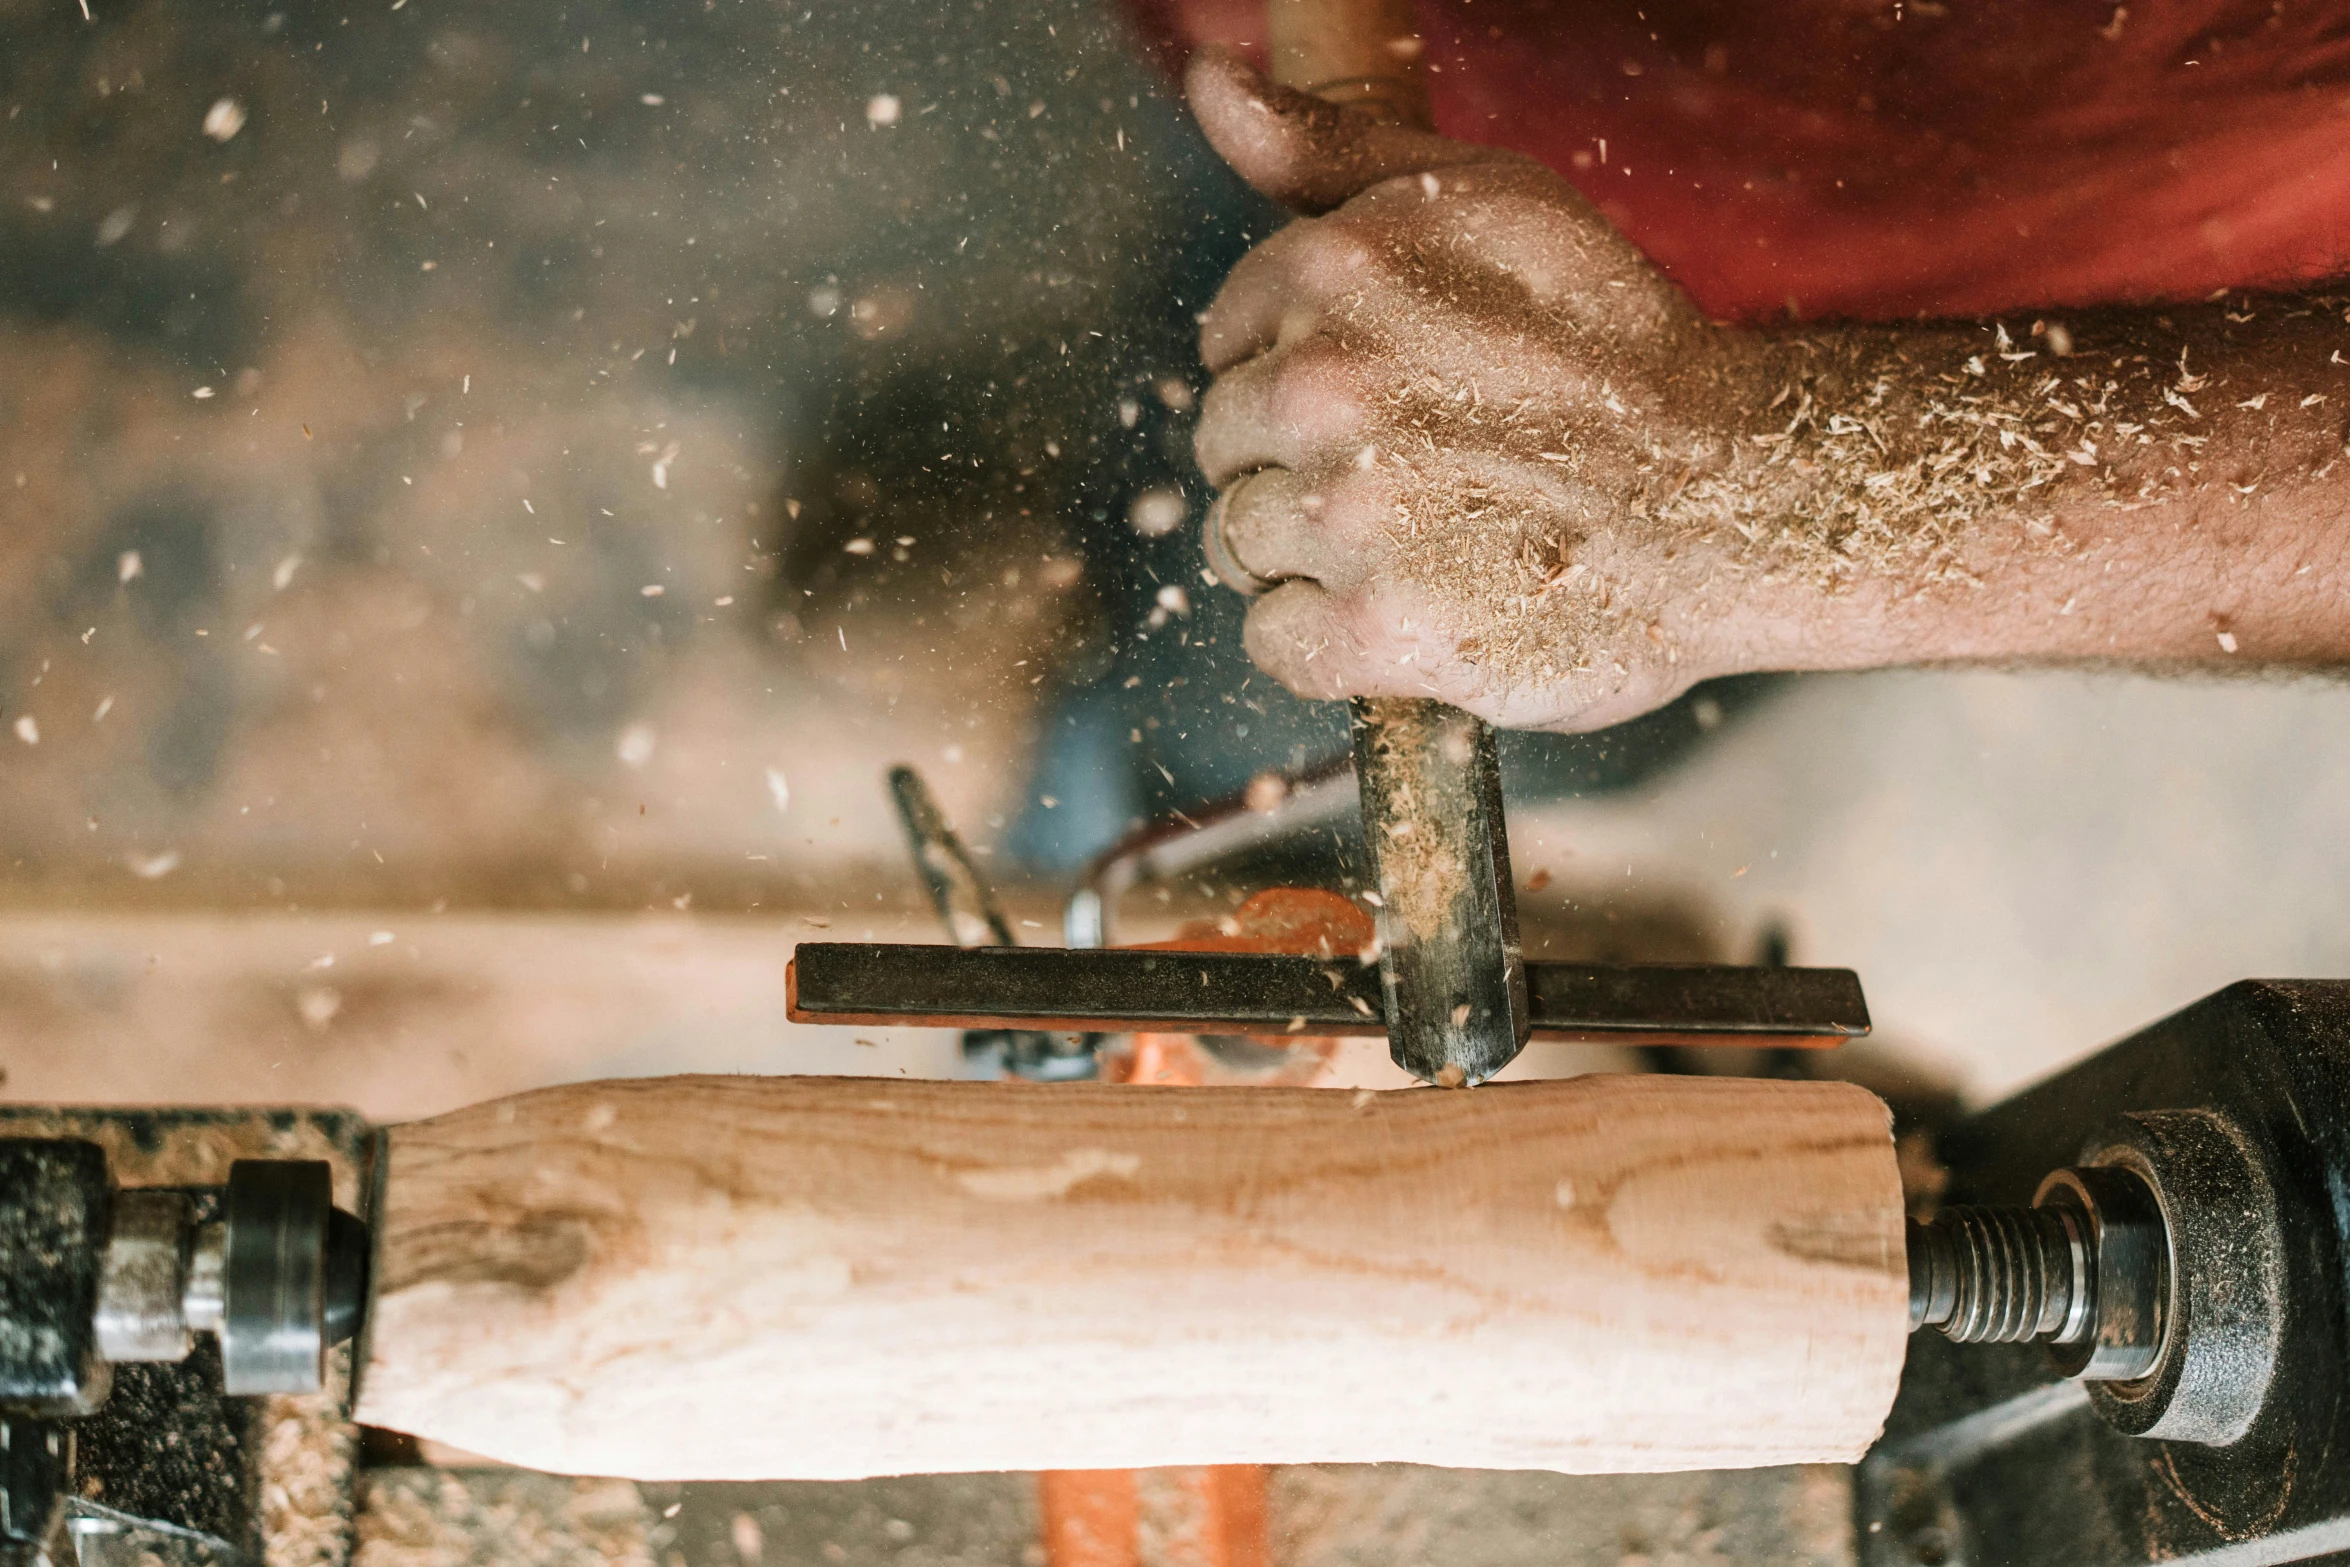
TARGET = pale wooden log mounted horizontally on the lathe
x,y
732,1279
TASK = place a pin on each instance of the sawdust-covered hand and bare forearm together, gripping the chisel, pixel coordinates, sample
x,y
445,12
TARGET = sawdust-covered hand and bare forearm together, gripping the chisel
x,y
1482,450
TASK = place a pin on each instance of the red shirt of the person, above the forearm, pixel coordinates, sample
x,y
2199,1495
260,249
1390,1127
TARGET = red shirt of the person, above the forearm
x,y
1884,159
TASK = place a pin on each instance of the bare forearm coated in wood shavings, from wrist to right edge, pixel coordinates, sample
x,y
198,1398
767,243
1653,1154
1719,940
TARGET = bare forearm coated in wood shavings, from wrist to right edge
x,y
2170,490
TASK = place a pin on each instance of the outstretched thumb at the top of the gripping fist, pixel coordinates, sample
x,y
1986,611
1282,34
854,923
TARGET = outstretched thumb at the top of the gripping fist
x,y
1301,152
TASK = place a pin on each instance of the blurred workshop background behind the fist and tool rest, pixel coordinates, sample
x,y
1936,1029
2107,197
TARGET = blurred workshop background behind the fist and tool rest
x,y
485,495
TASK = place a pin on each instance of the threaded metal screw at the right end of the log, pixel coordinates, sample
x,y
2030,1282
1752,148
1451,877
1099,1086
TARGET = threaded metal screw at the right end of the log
x,y
2001,1275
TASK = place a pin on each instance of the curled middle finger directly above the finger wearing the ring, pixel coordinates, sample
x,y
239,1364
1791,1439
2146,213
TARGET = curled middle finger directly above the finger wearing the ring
x,y
1298,408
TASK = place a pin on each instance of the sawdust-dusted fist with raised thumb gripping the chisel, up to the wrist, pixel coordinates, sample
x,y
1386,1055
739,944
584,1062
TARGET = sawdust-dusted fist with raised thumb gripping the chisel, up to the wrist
x,y
1446,417
